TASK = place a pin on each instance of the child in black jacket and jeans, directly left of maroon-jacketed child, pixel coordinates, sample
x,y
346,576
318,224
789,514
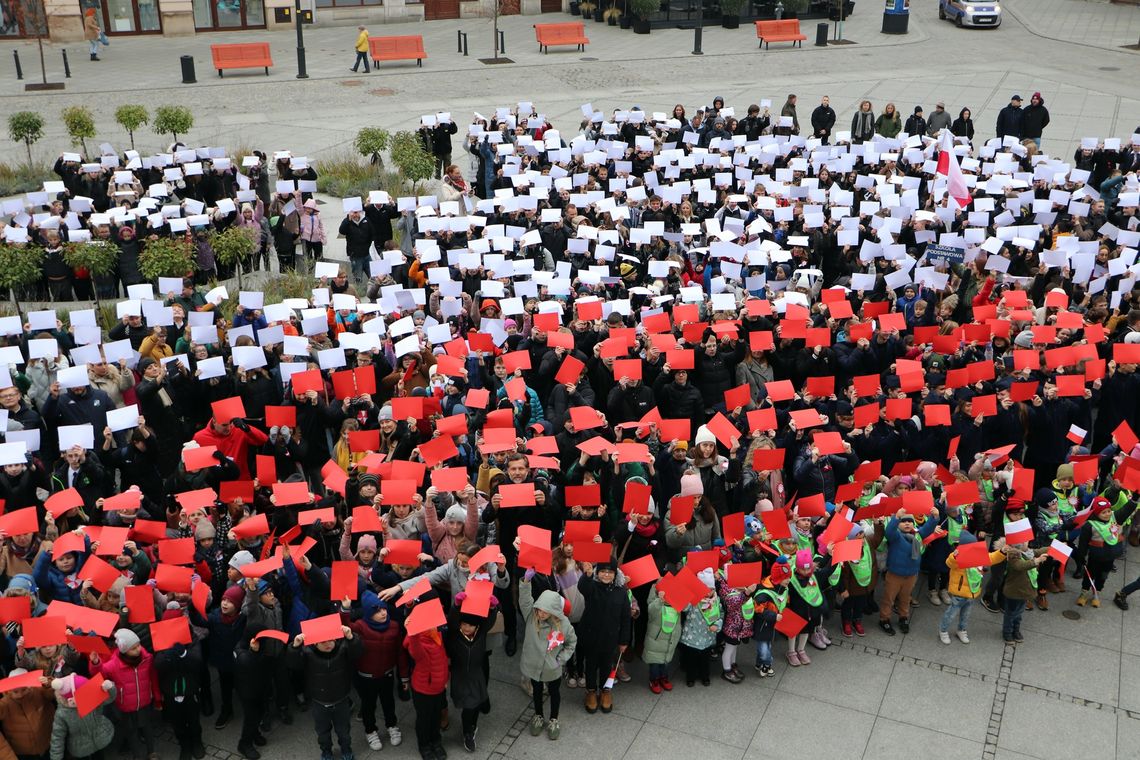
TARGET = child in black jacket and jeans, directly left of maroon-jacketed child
x,y
327,669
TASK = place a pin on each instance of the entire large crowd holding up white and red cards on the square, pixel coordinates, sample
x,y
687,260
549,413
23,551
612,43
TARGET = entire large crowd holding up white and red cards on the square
x,y
697,391
